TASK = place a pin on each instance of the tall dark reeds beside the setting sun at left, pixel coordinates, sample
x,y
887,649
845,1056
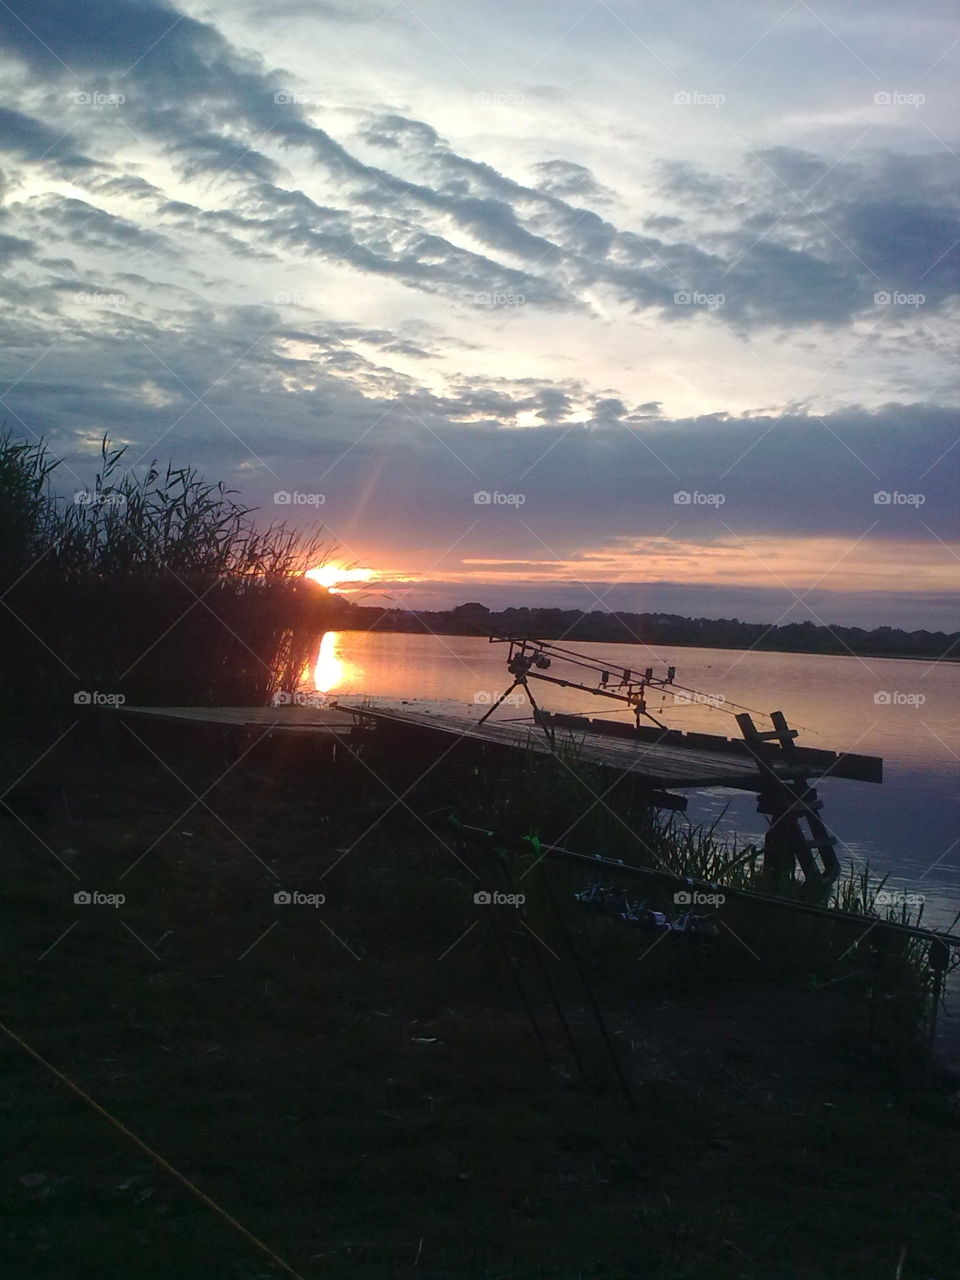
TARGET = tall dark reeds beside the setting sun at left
x,y
153,584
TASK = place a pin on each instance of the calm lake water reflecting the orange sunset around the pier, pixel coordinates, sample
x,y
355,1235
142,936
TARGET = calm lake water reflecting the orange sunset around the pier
x,y
908,828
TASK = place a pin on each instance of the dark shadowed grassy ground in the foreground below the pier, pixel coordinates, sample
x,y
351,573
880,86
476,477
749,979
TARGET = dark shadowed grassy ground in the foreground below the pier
x,y
360,1089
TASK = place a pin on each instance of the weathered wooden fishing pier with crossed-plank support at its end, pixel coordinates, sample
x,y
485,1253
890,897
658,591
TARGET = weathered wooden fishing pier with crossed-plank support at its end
x,y
659,760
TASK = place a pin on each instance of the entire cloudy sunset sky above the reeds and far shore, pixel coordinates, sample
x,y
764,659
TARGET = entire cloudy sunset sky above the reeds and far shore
x,y
673,286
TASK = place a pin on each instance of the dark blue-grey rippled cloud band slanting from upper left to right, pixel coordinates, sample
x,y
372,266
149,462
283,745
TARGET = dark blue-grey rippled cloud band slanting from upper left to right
x,y
449,223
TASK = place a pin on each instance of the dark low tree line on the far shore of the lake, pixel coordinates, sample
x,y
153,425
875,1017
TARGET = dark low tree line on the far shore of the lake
x,y
662,629
